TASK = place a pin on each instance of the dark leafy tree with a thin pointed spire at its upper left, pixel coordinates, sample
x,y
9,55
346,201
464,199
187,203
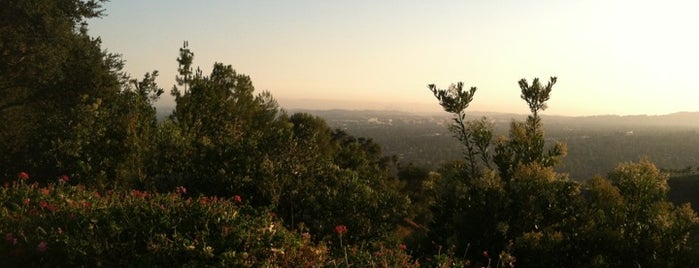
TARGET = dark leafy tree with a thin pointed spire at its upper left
x,y
227,133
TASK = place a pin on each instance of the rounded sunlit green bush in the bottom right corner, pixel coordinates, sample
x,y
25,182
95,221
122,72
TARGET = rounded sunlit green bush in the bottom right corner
x,y
626,219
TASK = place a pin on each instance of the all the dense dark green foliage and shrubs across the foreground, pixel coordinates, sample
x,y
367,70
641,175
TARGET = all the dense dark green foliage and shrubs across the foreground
x,y
230,179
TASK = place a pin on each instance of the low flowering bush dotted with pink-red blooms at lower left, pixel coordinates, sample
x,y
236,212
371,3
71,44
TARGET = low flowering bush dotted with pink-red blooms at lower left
x,y
60,224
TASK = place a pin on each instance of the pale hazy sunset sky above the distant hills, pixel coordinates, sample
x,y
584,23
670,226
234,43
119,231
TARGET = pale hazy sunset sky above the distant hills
x,y
610,57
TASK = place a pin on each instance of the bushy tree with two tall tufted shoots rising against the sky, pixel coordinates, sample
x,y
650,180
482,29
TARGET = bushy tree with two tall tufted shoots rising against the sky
x,y
482,208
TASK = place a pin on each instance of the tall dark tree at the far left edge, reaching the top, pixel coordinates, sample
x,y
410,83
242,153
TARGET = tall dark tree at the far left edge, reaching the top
x,y
56,82
